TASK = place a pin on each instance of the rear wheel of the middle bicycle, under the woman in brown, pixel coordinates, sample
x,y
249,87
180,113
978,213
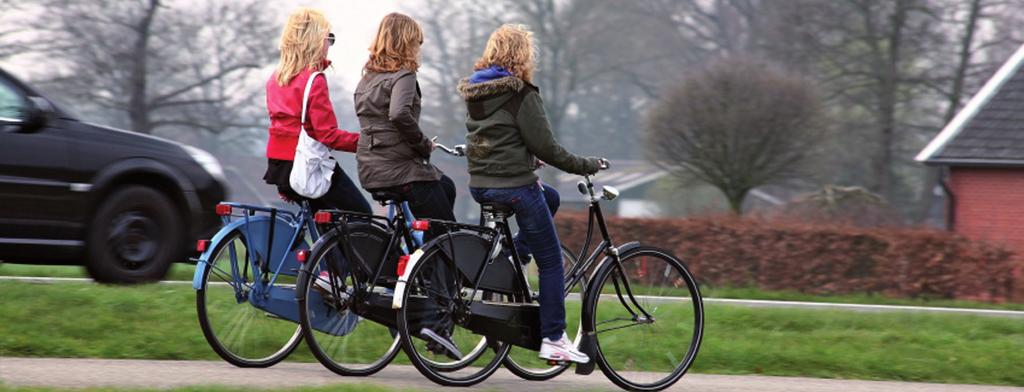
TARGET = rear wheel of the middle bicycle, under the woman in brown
x,y
340,339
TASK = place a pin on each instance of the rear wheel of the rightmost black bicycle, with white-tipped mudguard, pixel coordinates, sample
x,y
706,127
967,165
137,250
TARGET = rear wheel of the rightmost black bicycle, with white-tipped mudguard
x,y
435,299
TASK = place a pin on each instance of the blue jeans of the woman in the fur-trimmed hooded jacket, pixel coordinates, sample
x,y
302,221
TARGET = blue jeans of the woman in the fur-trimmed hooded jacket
x,y
537,229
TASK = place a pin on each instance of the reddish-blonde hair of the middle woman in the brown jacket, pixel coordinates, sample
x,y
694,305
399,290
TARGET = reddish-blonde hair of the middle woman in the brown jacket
x,y
397,46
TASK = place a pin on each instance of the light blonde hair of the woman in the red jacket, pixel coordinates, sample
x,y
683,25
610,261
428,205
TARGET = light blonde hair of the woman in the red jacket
x,y
303,42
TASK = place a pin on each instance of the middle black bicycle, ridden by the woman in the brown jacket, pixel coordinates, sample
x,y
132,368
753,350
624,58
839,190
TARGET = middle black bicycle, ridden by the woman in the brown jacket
x,y
350,277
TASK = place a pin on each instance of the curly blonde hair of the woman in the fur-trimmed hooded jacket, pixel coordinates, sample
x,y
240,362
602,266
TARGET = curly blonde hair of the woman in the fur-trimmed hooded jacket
x,y
511,47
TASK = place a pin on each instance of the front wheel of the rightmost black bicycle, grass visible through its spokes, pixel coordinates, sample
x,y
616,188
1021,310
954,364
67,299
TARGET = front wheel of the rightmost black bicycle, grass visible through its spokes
x,y
648,318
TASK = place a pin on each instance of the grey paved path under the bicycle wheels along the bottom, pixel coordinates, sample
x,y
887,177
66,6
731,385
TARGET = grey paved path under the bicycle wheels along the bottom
x,y
61,373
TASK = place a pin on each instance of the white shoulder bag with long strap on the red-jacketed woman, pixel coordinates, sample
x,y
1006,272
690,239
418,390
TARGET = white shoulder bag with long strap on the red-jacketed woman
x,y
314,165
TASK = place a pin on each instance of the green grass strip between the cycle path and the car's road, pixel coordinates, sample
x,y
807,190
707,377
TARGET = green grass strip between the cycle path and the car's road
x,y
158,322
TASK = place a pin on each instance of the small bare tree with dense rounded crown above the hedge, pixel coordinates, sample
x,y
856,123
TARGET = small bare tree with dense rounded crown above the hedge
x,y
737,125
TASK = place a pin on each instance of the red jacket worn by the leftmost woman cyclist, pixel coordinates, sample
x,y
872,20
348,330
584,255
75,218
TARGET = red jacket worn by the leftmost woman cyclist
x,y
285,107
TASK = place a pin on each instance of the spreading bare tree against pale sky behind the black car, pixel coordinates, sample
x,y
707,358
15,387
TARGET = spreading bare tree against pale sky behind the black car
x,y
160,65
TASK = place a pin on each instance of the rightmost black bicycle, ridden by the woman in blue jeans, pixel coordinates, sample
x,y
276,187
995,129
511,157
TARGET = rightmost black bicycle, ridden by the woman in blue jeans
x,y
641,310
